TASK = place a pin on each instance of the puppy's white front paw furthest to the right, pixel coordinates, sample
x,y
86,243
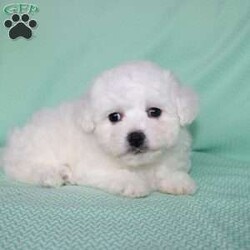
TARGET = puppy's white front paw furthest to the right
x,y
178,183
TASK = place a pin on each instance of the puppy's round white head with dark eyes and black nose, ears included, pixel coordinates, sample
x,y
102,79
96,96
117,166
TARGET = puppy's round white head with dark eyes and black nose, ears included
x,y
136,112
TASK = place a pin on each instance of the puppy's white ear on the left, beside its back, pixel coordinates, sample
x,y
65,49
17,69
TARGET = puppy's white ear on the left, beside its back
x,y
84,115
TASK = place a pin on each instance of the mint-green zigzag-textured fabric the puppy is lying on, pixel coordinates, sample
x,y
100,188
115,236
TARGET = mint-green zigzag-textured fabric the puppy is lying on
x,y
217,217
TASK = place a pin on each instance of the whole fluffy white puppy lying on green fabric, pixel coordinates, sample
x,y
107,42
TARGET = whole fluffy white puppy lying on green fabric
x,y
127,136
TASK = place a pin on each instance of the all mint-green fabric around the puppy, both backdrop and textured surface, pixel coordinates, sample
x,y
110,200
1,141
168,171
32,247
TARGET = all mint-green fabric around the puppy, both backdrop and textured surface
x,y
207,44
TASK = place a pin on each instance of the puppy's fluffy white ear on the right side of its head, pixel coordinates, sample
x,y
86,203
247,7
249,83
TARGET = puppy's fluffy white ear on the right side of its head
x,y
185,99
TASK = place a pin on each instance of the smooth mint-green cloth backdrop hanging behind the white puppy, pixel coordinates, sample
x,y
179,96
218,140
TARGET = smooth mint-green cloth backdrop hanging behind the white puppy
x,y
206,43
